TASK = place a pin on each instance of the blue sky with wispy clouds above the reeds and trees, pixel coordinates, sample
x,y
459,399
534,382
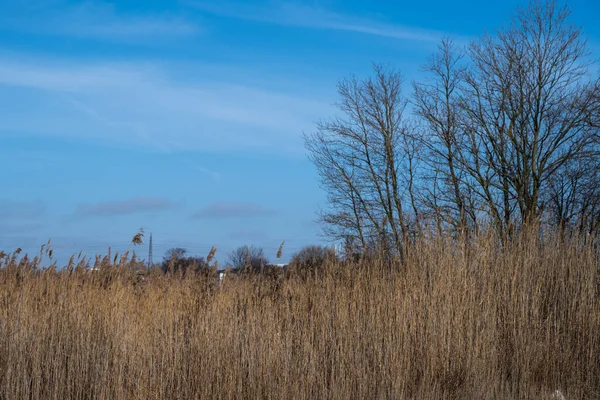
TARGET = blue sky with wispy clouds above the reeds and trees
x,y
186,117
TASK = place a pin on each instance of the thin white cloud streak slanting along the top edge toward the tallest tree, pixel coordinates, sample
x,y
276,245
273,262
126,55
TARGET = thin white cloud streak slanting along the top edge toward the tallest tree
x,y
302,15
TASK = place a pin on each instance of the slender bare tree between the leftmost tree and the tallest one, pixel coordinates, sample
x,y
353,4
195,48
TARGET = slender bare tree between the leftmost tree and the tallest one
x,y
436,104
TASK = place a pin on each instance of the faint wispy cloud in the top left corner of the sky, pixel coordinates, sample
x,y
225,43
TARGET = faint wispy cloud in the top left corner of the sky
x,y
92,19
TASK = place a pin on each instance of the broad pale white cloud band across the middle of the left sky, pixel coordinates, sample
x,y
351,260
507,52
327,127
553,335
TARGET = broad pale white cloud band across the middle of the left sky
x,y
145,104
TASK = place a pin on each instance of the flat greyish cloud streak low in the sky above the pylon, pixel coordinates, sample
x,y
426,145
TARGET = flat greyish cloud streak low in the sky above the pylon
x,y
124,207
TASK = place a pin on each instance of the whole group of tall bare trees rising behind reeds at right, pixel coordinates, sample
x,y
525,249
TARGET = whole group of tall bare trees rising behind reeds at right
x,y
499,132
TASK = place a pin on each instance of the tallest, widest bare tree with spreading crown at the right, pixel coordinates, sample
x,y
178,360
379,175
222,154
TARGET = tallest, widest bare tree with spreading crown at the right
x,y
527,104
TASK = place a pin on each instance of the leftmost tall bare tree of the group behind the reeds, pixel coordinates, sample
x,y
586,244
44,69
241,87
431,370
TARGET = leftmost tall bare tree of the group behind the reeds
x,y
365,163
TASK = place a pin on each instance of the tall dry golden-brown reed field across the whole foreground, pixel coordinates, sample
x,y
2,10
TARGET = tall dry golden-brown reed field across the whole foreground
x,y
457,320
